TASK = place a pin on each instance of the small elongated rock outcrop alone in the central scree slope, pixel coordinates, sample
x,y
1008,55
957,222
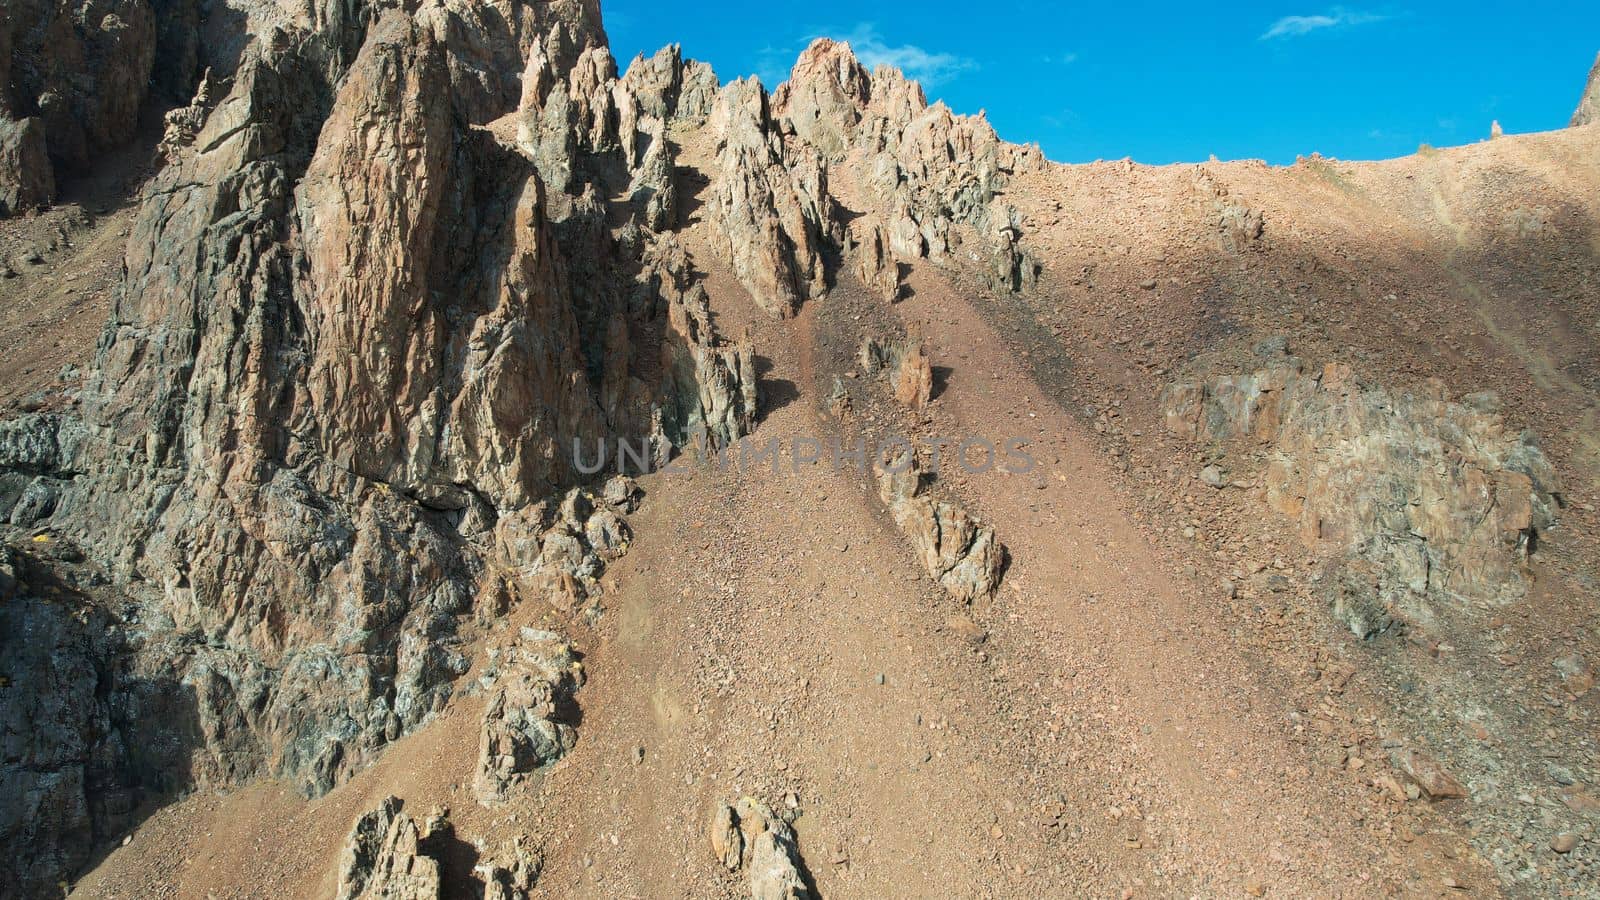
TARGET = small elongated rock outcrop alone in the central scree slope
x,y
959,553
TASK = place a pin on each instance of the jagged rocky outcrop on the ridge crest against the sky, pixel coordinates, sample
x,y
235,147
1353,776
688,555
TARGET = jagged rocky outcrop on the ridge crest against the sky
x,y
935,179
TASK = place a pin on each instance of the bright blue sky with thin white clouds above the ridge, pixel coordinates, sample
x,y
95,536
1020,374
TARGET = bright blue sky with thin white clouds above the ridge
x,y
1180,82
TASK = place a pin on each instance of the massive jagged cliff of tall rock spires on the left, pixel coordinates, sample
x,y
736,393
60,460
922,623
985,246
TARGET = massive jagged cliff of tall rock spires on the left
x,y
358,340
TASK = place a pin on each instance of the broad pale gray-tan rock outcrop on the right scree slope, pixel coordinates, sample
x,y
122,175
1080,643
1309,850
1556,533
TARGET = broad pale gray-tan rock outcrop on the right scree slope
x,y
1434,502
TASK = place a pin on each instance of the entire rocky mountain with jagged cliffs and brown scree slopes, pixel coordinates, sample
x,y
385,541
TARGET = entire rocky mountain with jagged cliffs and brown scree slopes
x,y
342,500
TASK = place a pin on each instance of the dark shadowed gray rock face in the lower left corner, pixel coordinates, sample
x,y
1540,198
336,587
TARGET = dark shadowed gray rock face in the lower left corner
x,y
87,734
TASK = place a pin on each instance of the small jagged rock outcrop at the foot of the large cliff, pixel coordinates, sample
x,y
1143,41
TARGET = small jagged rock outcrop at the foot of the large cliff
x,y
532,685
